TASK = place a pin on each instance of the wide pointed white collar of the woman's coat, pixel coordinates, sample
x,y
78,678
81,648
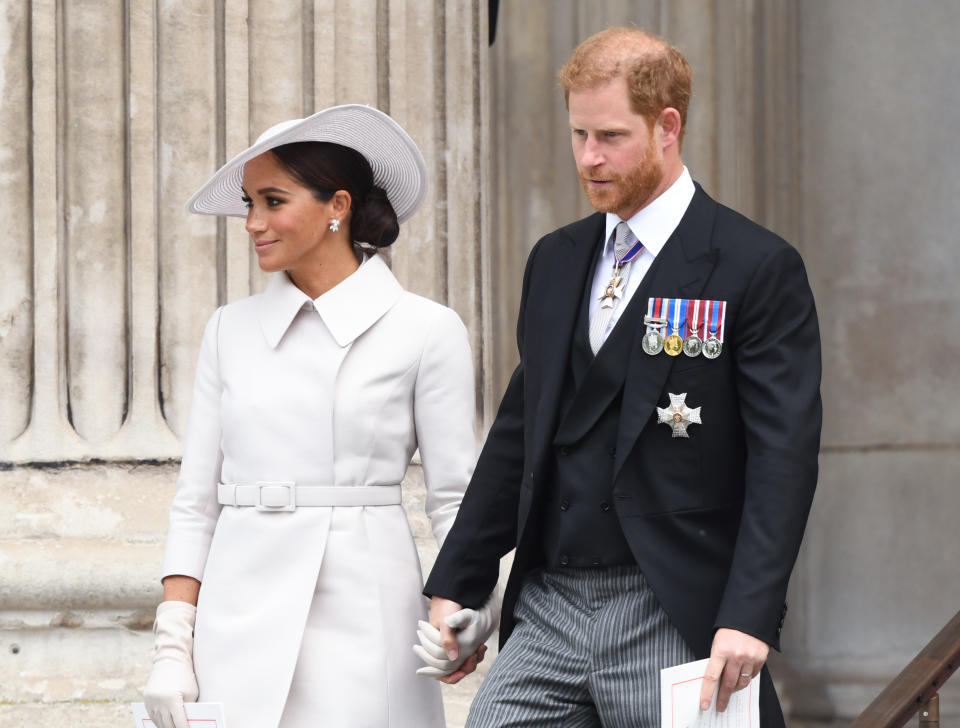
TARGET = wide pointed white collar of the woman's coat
x,y
348,309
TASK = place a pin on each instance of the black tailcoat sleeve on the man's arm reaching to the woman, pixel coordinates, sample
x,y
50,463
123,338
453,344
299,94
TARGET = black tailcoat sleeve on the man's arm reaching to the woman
x,y
467,567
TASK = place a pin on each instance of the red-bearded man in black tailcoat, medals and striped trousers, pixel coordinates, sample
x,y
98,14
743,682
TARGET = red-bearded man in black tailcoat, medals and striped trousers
x,y
654,457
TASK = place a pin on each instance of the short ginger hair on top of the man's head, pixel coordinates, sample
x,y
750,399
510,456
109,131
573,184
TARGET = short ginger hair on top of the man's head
x,y
656,73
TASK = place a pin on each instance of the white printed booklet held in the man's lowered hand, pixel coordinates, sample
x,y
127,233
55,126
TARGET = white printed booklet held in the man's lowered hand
x,y
680,701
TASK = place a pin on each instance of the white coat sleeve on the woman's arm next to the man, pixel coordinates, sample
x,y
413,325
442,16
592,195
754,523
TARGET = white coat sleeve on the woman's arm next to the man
x,y
444,408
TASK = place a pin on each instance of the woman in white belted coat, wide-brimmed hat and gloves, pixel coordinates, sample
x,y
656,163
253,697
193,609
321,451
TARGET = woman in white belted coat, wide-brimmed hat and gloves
x,y
286,530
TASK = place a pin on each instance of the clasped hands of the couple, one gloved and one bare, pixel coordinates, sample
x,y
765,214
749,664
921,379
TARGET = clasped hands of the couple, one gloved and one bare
x,y
451,645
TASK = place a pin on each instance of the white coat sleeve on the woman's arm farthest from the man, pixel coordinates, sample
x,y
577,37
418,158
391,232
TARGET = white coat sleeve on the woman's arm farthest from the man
x,y
194,513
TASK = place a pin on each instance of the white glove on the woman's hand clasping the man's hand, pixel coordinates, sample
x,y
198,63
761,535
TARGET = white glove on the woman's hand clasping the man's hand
x,y
473,627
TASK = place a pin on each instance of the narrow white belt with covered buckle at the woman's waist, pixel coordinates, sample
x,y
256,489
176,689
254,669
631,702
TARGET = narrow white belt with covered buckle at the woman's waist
x,y
265,495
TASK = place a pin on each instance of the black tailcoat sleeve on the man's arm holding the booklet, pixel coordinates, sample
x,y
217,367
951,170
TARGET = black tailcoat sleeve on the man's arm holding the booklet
x,y
777,356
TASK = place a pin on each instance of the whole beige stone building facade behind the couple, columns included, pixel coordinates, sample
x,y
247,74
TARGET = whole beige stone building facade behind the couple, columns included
x,y
829,122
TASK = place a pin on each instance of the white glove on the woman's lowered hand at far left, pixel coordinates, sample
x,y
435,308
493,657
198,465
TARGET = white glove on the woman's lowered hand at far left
x,y
172,681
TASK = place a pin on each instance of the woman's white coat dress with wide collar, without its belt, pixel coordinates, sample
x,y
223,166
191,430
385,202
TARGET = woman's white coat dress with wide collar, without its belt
x,y
307,617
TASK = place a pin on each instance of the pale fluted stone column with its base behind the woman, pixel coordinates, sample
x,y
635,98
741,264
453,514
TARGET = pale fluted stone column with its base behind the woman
x,y
111,114
